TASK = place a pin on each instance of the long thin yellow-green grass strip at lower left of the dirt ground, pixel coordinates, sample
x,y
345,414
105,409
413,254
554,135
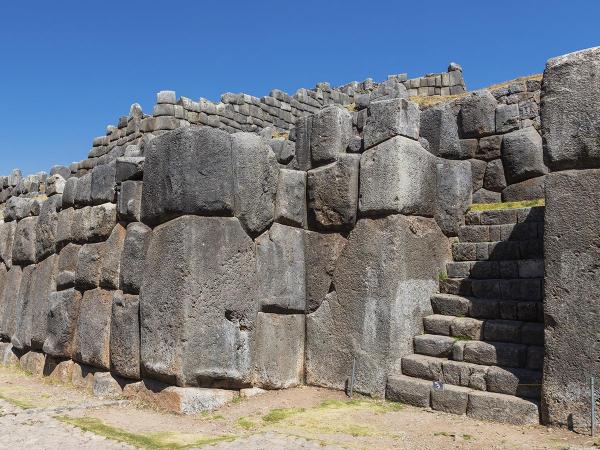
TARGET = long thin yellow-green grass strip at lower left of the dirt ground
x,y
149,441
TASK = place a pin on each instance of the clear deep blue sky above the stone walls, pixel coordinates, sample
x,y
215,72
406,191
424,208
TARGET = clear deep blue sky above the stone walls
x,y
68,68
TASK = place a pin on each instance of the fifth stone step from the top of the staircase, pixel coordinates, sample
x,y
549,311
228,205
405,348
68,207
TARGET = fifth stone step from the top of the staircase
x,y
521,289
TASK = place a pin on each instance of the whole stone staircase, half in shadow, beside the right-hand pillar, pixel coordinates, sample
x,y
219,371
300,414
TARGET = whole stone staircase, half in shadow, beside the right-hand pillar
x,y
484,340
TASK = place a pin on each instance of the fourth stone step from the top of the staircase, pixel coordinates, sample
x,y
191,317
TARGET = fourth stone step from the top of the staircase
x,y
520,268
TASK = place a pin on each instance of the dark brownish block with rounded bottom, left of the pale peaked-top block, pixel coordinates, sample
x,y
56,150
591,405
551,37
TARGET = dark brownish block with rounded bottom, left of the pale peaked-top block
x,y
333,193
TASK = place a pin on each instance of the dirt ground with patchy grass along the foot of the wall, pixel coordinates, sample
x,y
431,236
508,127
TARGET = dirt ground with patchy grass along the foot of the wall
x,y
37,414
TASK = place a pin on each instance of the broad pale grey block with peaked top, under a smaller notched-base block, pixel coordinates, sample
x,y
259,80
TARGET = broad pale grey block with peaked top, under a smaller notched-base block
x,y
397,176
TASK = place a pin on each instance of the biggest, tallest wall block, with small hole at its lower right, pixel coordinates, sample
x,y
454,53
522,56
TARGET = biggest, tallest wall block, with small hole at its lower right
x,y
198,303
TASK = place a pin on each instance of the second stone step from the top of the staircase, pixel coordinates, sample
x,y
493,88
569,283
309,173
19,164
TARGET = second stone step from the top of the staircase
x,y
508,232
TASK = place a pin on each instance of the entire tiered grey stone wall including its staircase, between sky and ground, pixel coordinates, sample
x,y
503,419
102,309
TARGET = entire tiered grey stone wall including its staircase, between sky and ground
x,y
278,241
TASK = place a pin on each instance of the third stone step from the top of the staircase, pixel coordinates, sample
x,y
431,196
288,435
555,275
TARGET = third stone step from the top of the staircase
x,y
498,250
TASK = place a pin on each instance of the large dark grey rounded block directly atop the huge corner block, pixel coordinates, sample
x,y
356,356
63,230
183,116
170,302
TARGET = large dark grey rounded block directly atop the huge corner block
x,y
188,171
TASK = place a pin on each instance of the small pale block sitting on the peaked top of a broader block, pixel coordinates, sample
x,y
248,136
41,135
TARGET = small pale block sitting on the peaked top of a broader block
x,y
389,118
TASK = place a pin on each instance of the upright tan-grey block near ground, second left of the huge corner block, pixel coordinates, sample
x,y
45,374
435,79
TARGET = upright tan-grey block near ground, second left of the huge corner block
x,y
92,342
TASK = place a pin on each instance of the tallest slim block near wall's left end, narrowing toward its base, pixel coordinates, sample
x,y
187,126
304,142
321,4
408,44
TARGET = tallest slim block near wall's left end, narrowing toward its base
x,y
42,286
